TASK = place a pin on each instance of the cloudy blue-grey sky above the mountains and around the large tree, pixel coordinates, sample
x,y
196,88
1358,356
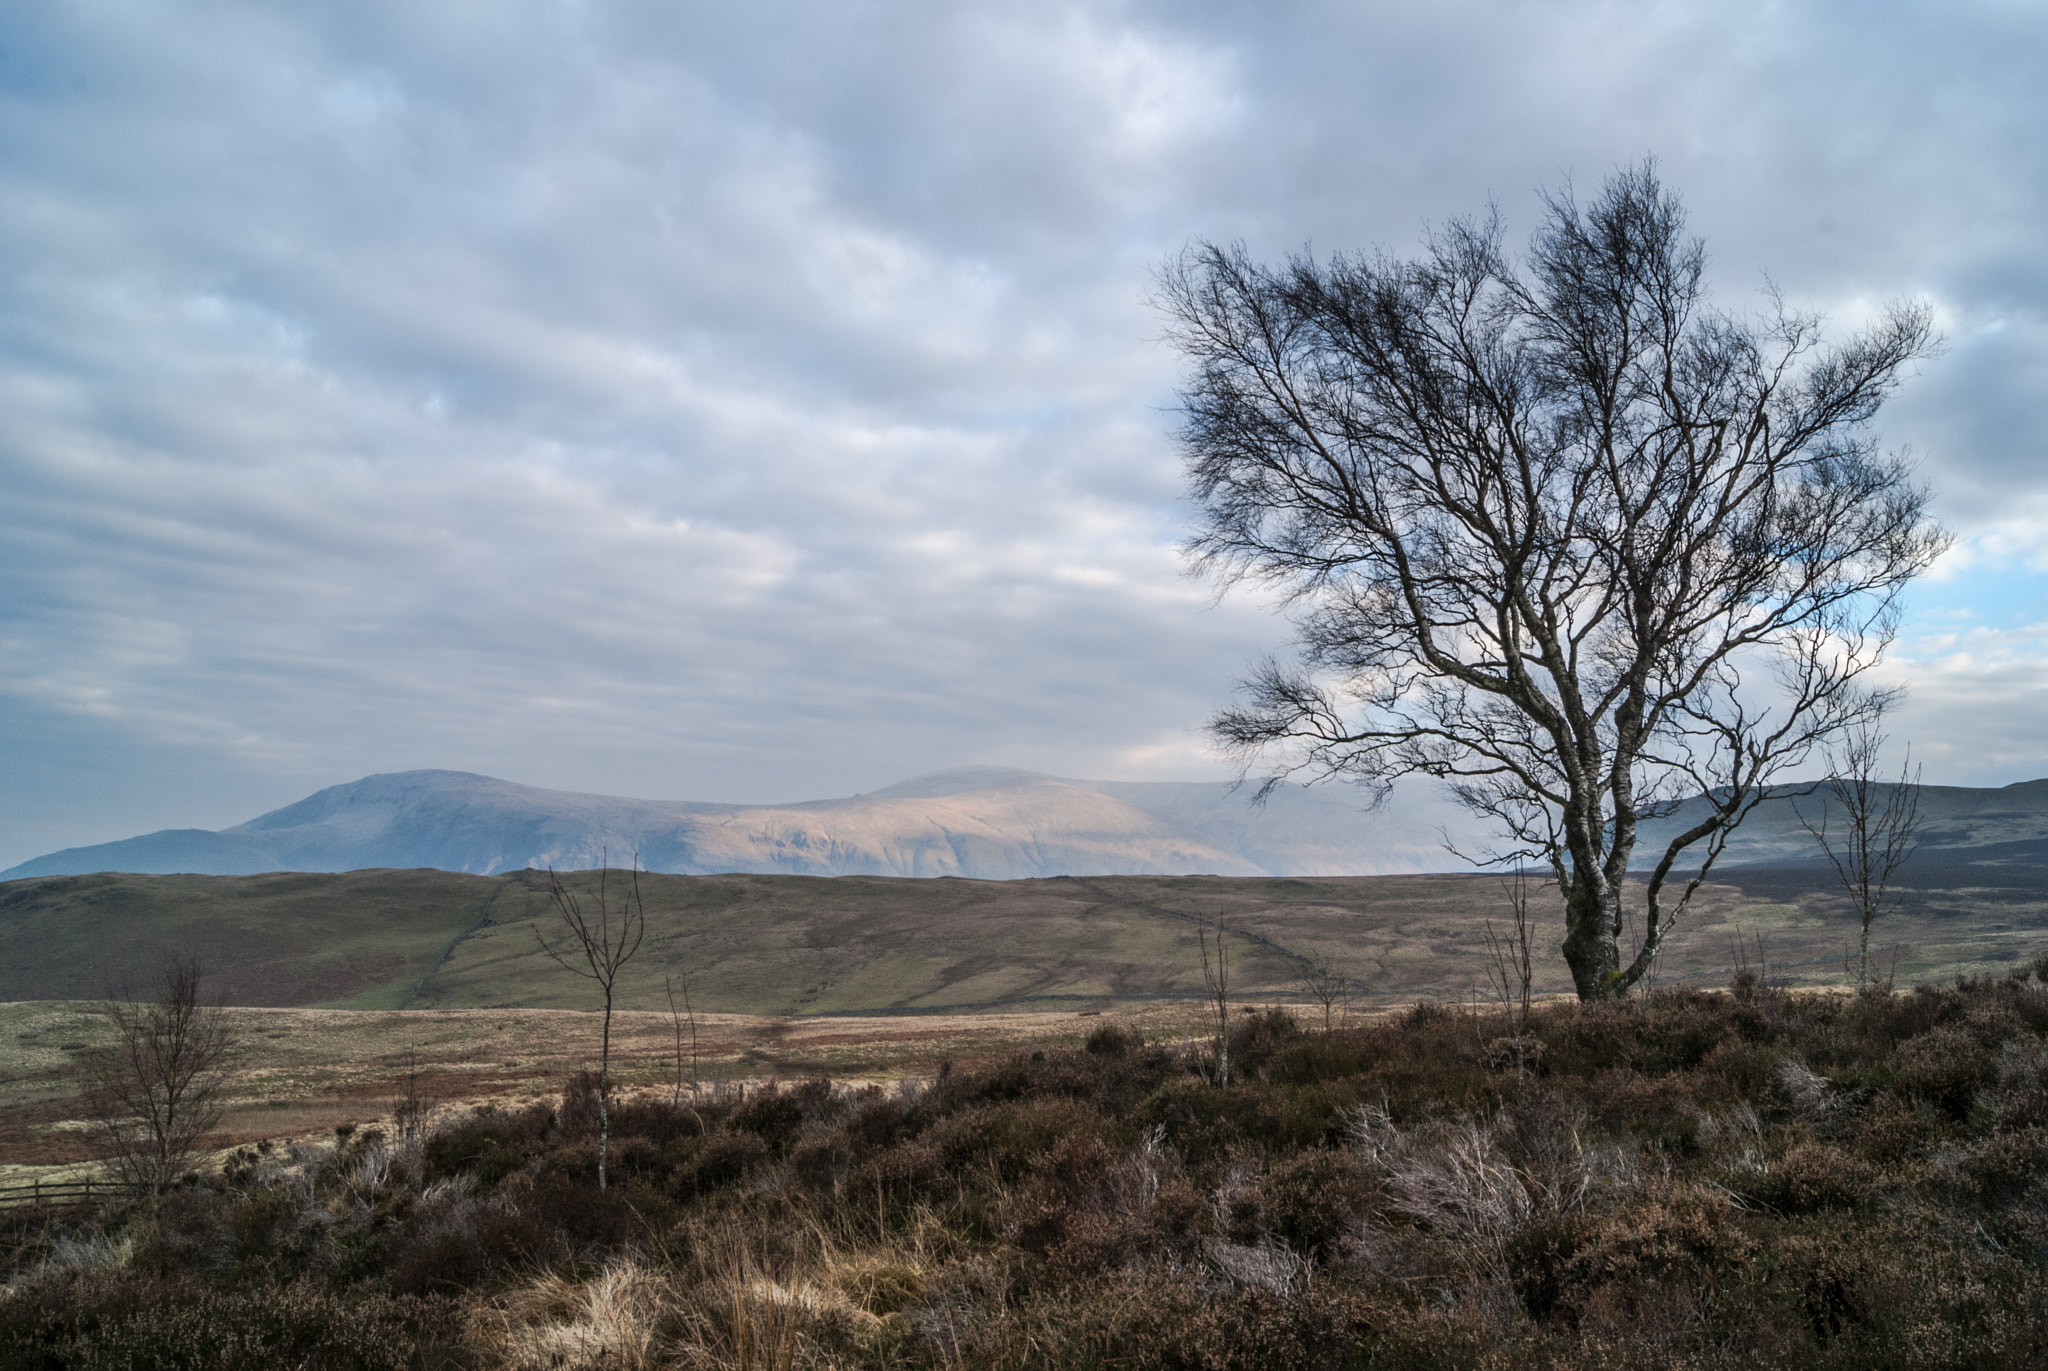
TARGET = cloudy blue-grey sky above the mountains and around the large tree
x,y
765,403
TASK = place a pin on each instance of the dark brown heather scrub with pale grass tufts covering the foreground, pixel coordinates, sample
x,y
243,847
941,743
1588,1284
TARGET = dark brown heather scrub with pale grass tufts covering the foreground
x,y
1691,1179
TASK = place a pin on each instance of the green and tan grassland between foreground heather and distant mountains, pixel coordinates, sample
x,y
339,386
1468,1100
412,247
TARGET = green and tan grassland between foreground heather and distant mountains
x,y
339,977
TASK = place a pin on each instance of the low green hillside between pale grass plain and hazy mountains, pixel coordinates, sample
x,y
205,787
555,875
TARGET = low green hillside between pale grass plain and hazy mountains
x,y
820,946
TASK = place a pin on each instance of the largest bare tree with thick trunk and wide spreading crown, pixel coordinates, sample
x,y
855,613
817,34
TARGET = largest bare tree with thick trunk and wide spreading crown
x,y
1553,532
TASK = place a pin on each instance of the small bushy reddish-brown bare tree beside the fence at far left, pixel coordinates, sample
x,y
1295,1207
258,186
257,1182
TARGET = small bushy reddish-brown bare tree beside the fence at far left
x,y
161,1087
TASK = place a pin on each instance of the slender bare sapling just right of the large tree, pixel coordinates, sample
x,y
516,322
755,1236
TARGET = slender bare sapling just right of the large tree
x,y
1877,829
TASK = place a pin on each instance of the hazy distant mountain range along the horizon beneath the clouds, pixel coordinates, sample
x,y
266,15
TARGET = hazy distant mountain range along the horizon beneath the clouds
x,y
984,823
